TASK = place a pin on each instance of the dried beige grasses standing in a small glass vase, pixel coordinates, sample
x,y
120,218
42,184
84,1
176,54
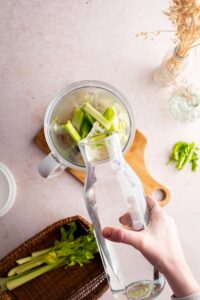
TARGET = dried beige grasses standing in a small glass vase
x,y
185,17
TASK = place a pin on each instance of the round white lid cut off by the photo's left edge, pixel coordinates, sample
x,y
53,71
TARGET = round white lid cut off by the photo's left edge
x,y
7,189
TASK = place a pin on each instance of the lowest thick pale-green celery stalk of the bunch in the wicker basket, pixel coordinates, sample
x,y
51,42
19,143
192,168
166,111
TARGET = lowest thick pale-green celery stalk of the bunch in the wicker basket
x,y
14,283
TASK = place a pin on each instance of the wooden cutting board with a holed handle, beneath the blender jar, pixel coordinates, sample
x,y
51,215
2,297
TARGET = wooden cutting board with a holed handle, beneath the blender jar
x,y
135,158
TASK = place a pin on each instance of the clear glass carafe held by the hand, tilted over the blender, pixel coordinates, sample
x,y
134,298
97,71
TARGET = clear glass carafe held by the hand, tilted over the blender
x,y
112,189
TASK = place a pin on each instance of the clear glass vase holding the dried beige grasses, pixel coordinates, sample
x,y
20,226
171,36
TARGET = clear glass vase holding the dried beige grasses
x,y
171,67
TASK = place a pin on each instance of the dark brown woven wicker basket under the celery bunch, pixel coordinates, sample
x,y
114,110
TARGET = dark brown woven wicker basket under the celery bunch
x,y
75,283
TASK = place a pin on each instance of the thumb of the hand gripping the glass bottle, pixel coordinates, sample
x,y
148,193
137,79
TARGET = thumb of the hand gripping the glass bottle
x,y
125,236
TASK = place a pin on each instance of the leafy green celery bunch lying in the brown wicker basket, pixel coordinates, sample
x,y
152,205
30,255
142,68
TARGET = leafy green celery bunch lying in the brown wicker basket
x,y
70,250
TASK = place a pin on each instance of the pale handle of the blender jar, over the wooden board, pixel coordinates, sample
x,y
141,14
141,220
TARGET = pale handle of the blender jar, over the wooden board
x,y
50,166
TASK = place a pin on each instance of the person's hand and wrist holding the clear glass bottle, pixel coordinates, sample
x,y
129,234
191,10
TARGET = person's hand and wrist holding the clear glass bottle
x,y
160,245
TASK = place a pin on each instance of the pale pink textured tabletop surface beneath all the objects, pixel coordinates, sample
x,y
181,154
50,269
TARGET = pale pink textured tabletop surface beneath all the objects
x,y
45,45
